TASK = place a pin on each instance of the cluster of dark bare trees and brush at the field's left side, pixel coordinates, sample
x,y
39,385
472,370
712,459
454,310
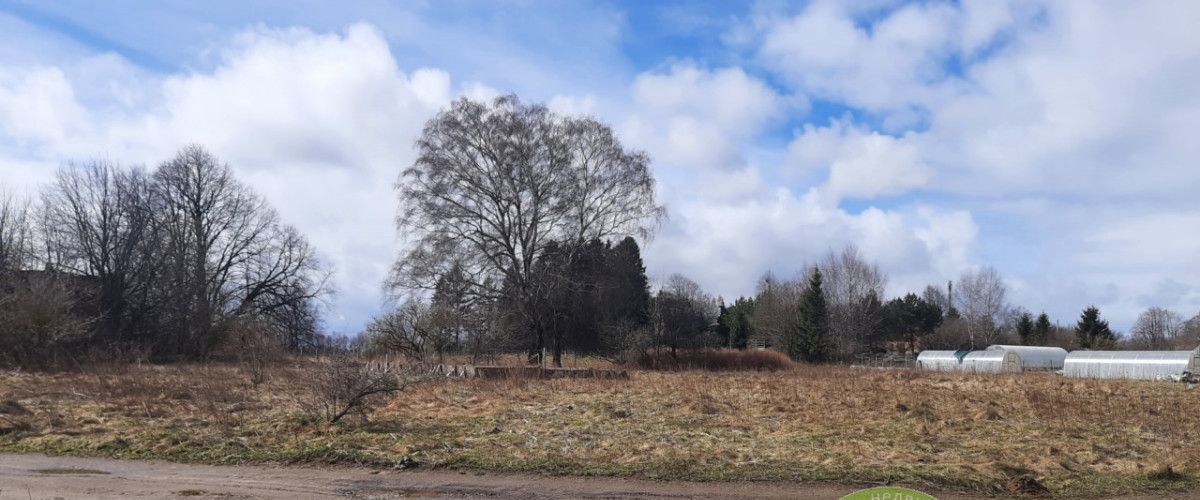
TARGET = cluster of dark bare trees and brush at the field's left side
x,y
171,263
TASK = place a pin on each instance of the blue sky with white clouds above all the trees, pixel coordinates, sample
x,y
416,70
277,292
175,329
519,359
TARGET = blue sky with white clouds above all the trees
x,y
1054,141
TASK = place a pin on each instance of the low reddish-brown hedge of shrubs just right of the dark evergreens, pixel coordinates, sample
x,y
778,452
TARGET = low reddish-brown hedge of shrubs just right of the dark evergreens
x,y
717,360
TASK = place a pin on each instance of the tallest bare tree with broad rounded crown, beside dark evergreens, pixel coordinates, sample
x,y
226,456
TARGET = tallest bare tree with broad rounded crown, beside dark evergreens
x,y
496,183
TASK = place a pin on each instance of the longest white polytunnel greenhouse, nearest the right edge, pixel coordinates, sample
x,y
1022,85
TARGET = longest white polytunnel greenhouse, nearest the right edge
x,y
1149,365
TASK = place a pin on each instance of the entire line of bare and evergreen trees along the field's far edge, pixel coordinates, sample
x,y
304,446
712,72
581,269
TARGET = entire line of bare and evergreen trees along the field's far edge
x,y
523,231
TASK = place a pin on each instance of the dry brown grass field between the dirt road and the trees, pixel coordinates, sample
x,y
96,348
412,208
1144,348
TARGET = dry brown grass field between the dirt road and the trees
x,y
970,433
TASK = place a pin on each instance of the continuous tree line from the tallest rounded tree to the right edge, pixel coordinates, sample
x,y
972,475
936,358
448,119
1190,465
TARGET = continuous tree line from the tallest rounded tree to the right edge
x,y
524,228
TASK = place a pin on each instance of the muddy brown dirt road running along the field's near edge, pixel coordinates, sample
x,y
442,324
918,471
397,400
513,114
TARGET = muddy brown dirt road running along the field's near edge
x,y
34,477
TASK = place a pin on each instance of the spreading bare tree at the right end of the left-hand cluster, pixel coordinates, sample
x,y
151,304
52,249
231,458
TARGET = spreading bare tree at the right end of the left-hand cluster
x,y
230,256
